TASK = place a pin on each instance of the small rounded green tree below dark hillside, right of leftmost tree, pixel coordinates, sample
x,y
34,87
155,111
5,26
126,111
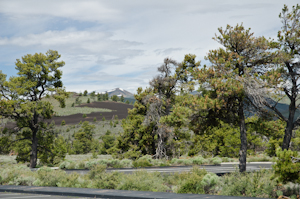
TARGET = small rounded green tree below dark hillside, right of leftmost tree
x,y
83,139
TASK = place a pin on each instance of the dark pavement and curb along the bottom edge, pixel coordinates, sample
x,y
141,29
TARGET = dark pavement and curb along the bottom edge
x,y
53,192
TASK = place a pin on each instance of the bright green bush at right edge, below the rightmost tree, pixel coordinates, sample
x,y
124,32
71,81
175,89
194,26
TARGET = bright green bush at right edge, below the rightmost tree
x,y
285,169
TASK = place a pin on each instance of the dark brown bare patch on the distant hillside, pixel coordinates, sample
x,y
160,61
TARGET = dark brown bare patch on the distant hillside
x,y
119,109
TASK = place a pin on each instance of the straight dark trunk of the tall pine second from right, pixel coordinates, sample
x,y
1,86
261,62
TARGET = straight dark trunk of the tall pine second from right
x,y
243,137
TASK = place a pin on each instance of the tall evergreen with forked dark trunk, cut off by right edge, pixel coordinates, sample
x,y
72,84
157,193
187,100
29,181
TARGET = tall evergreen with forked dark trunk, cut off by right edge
x,y
284,74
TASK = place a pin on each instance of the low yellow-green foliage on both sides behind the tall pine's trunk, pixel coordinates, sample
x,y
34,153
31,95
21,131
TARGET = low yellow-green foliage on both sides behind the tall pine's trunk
x,y
224,139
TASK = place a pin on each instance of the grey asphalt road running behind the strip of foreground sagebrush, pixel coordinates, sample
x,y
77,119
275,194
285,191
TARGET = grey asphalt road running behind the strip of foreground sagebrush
x,y
217,169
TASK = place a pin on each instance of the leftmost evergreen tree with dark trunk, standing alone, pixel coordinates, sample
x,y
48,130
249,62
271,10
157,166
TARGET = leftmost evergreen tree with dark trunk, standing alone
x,y
21,98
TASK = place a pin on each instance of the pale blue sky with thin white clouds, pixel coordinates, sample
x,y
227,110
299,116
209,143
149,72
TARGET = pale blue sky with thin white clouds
x,y
120,43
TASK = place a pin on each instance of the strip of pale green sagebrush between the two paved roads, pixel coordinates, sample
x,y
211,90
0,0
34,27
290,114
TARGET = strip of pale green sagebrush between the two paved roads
x,y
199,181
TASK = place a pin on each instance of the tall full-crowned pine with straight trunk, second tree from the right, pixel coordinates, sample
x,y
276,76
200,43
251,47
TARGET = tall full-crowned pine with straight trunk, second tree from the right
x,y
224,95
